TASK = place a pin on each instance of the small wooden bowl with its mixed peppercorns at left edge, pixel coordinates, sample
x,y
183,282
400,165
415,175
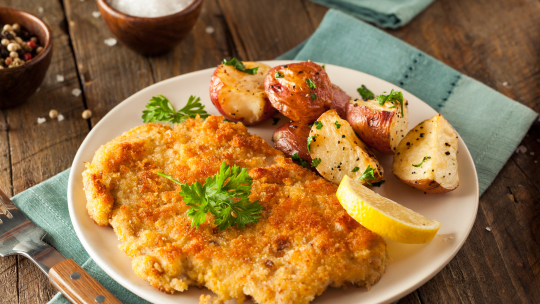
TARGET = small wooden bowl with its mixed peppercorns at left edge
x,y
25,55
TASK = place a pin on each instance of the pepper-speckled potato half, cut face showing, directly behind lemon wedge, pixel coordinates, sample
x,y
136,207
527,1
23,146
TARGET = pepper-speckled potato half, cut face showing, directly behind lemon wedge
x,y
340,150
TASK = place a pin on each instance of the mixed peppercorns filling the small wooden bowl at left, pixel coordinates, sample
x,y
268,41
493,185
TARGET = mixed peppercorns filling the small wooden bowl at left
x,y
17,46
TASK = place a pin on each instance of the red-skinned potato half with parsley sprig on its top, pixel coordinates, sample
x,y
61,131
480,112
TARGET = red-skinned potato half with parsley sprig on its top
x,y
380,126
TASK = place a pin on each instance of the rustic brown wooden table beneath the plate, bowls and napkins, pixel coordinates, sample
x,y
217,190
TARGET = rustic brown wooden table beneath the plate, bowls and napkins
x,y
494,41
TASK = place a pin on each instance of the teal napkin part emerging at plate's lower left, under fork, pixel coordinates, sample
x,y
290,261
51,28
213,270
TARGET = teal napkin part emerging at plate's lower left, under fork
x,y
46,205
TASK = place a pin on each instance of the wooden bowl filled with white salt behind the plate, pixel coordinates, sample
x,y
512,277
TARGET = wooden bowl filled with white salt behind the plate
x,y
150,27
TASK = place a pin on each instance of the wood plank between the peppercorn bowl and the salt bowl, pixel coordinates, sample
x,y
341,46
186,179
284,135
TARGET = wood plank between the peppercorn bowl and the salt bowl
x,y
109,74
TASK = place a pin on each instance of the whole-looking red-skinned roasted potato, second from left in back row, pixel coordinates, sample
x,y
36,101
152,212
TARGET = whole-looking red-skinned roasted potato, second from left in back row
x,y
301,91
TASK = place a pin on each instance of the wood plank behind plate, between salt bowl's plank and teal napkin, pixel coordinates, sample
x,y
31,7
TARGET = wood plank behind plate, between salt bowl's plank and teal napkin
x,y
263,30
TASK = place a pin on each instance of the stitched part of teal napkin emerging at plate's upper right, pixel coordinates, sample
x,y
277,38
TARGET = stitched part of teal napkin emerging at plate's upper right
x,y
491,124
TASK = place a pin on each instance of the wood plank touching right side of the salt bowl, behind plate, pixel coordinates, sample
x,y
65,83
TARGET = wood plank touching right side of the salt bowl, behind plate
x,y
201,49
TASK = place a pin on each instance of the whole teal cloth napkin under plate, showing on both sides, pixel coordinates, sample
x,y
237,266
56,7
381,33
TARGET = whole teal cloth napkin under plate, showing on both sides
x,y
491,124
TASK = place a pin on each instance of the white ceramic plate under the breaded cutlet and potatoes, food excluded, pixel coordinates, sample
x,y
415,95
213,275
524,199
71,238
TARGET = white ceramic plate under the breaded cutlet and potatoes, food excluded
x,y
410,265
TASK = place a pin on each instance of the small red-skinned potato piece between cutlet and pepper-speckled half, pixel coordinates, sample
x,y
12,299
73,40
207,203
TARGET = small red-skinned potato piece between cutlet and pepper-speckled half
x,y
291,138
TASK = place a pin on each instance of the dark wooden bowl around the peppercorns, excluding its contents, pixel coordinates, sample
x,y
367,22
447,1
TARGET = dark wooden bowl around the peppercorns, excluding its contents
x,y
19,83
